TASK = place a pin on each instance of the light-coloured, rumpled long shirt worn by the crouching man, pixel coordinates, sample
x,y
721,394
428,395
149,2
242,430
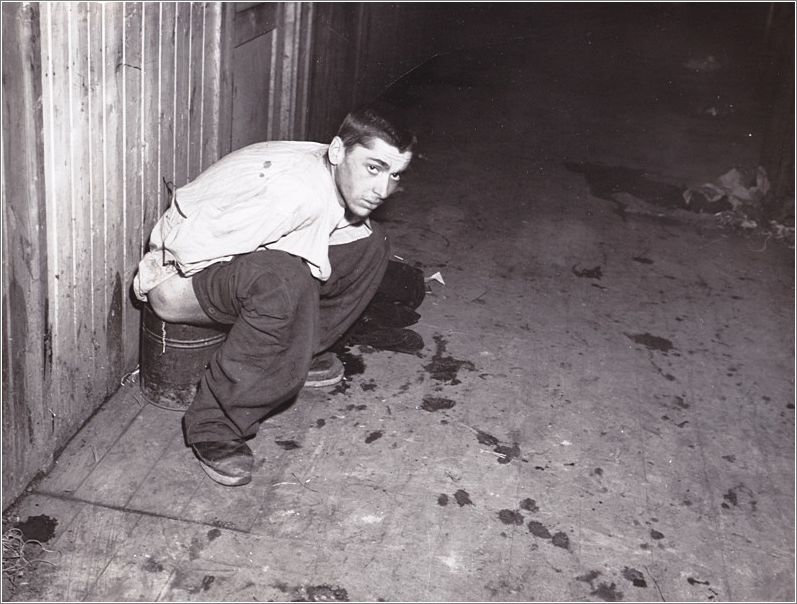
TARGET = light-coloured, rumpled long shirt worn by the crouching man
x,y
278,195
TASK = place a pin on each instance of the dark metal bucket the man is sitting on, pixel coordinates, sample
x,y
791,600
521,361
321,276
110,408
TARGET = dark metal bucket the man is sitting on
x,y
173,358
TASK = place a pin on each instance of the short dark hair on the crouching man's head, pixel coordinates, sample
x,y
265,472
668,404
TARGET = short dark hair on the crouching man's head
x,y
376,120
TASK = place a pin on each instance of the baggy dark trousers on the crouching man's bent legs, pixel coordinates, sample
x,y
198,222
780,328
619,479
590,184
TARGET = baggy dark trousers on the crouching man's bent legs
x,y
281,316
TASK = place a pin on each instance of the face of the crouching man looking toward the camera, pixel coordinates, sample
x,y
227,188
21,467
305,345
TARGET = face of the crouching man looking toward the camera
x,y
366,175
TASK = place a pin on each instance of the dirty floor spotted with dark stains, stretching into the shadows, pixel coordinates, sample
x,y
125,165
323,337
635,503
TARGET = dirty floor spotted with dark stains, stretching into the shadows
x,y
603,409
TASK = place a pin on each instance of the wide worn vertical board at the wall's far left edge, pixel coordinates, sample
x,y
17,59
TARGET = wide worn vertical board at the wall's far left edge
x,y
26,341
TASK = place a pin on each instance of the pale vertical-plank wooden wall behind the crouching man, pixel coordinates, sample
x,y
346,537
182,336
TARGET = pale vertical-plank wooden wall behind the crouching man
x,y
118,99
